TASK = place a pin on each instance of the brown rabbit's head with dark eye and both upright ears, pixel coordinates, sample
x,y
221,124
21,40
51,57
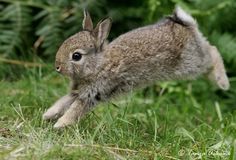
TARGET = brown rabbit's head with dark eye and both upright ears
x,y
80,54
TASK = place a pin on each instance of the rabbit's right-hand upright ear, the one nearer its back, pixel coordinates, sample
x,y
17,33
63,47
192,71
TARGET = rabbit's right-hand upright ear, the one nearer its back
x,y
102,30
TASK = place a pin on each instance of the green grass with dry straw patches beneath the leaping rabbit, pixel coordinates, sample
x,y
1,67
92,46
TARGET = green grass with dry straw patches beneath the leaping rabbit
x,y
187,120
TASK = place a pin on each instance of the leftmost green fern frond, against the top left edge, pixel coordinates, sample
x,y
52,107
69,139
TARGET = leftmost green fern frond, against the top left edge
x,y
16,21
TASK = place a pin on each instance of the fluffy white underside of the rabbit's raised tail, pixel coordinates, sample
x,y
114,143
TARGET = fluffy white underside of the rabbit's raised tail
x,y
181,17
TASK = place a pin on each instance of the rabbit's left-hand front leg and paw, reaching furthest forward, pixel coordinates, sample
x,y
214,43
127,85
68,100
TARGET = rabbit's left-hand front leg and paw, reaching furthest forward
x,y
59,107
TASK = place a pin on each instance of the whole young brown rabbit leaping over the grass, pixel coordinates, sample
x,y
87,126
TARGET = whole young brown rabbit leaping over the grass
x,y
172,49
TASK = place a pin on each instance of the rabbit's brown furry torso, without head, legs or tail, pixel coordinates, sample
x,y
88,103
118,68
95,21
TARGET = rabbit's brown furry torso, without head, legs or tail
x,y
157,52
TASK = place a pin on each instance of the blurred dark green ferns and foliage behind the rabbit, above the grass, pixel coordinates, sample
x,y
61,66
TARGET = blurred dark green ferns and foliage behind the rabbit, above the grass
x,y
31,31
